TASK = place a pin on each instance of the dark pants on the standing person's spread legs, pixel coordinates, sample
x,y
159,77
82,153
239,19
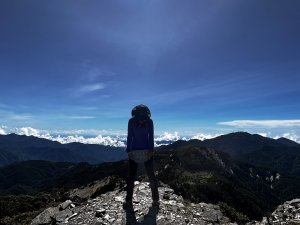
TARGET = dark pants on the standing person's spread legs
x,y
152,179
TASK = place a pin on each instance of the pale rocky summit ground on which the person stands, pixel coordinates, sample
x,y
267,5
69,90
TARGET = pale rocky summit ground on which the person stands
x,y
108,209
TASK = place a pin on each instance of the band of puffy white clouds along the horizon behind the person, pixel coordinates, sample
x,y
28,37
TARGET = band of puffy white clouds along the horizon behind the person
x,y
116,138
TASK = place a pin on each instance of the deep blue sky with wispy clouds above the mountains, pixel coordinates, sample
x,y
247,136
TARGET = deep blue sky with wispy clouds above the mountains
x,y
201,66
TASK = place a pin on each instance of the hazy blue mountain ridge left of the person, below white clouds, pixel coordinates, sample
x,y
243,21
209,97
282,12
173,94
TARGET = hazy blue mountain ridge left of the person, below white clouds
x,y
21,148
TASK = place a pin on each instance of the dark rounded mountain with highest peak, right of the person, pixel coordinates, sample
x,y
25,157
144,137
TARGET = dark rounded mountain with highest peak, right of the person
x,y
282,155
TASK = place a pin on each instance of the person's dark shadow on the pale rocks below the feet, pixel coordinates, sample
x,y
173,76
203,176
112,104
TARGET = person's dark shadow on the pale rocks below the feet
x,y
148,219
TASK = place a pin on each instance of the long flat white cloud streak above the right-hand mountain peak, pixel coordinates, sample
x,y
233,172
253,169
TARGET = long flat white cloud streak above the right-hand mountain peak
x,y
262,123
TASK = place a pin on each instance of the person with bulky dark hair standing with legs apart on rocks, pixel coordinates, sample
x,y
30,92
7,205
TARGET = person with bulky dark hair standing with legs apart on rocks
x,y
140,146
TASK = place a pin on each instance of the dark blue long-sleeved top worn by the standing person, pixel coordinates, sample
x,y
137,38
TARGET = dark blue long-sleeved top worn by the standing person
x,y
140,138
